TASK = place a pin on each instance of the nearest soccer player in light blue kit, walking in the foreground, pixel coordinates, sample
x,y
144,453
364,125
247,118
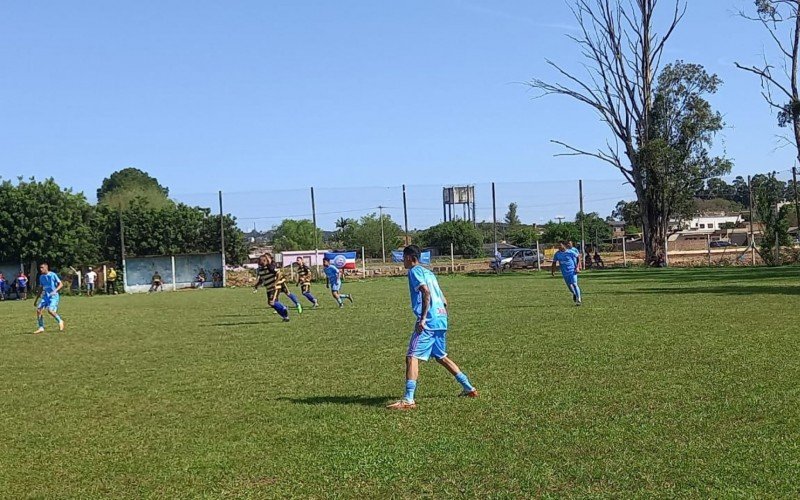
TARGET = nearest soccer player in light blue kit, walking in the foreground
x,y
430,332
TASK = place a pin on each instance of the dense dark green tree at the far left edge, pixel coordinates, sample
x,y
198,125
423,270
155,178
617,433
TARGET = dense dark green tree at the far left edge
x,y
42,222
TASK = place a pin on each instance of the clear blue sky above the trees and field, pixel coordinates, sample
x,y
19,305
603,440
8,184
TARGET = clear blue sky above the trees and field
x,y
246,95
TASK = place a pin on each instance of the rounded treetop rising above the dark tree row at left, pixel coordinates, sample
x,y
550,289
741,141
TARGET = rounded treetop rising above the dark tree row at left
x,y
121,188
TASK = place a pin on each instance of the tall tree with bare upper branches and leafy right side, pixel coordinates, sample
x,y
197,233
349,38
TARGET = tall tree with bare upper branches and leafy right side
x,y
663,128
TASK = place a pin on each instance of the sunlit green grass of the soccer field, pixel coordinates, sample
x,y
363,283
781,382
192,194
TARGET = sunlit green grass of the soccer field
x,y
666,383
